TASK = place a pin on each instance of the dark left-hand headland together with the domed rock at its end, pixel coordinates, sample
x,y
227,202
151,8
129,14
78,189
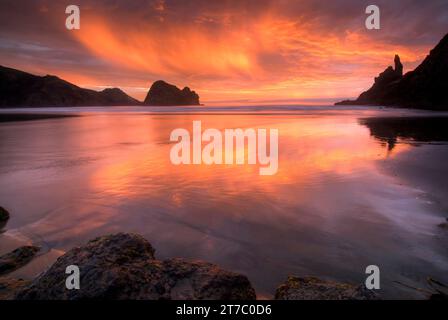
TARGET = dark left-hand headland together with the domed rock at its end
x,y
21,89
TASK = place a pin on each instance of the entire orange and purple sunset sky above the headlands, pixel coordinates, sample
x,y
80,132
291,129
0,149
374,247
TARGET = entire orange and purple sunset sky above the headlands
x,y
229,51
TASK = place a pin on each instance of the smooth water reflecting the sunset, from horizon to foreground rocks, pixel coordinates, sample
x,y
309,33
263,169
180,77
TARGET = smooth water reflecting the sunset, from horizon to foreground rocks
x,y
349,192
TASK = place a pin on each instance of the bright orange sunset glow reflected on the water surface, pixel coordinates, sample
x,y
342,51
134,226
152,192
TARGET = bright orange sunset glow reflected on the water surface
x,y
307,148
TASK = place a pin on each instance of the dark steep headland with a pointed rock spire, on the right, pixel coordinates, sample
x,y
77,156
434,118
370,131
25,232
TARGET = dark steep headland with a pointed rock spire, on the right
x,y
424,88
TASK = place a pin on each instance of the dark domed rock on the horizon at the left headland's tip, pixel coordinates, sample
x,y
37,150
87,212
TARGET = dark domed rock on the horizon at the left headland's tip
x,y
165,94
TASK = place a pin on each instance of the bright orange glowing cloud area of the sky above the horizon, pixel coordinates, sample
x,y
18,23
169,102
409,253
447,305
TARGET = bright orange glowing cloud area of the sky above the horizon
x,y
264,58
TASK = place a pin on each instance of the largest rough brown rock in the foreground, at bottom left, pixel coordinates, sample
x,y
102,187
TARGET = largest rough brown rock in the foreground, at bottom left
x,y
123,266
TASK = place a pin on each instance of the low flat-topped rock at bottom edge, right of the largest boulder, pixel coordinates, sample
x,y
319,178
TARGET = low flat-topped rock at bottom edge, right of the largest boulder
x,y
311,288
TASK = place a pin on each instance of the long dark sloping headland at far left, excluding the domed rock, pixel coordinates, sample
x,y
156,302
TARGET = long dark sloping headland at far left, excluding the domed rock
x,y
21,89
